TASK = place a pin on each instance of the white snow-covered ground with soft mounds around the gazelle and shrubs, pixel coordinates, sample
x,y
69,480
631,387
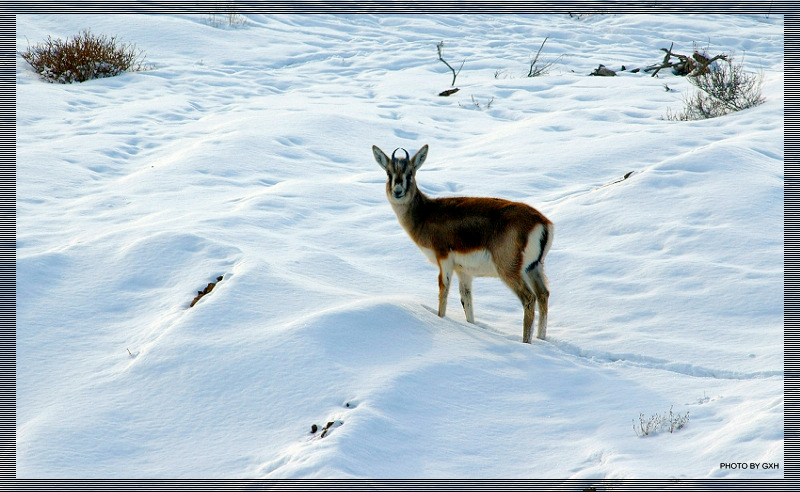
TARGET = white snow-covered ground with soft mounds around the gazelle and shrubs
x,y
245,152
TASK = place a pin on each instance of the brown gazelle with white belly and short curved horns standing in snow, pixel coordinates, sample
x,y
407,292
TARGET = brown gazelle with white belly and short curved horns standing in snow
x,y
475,237
